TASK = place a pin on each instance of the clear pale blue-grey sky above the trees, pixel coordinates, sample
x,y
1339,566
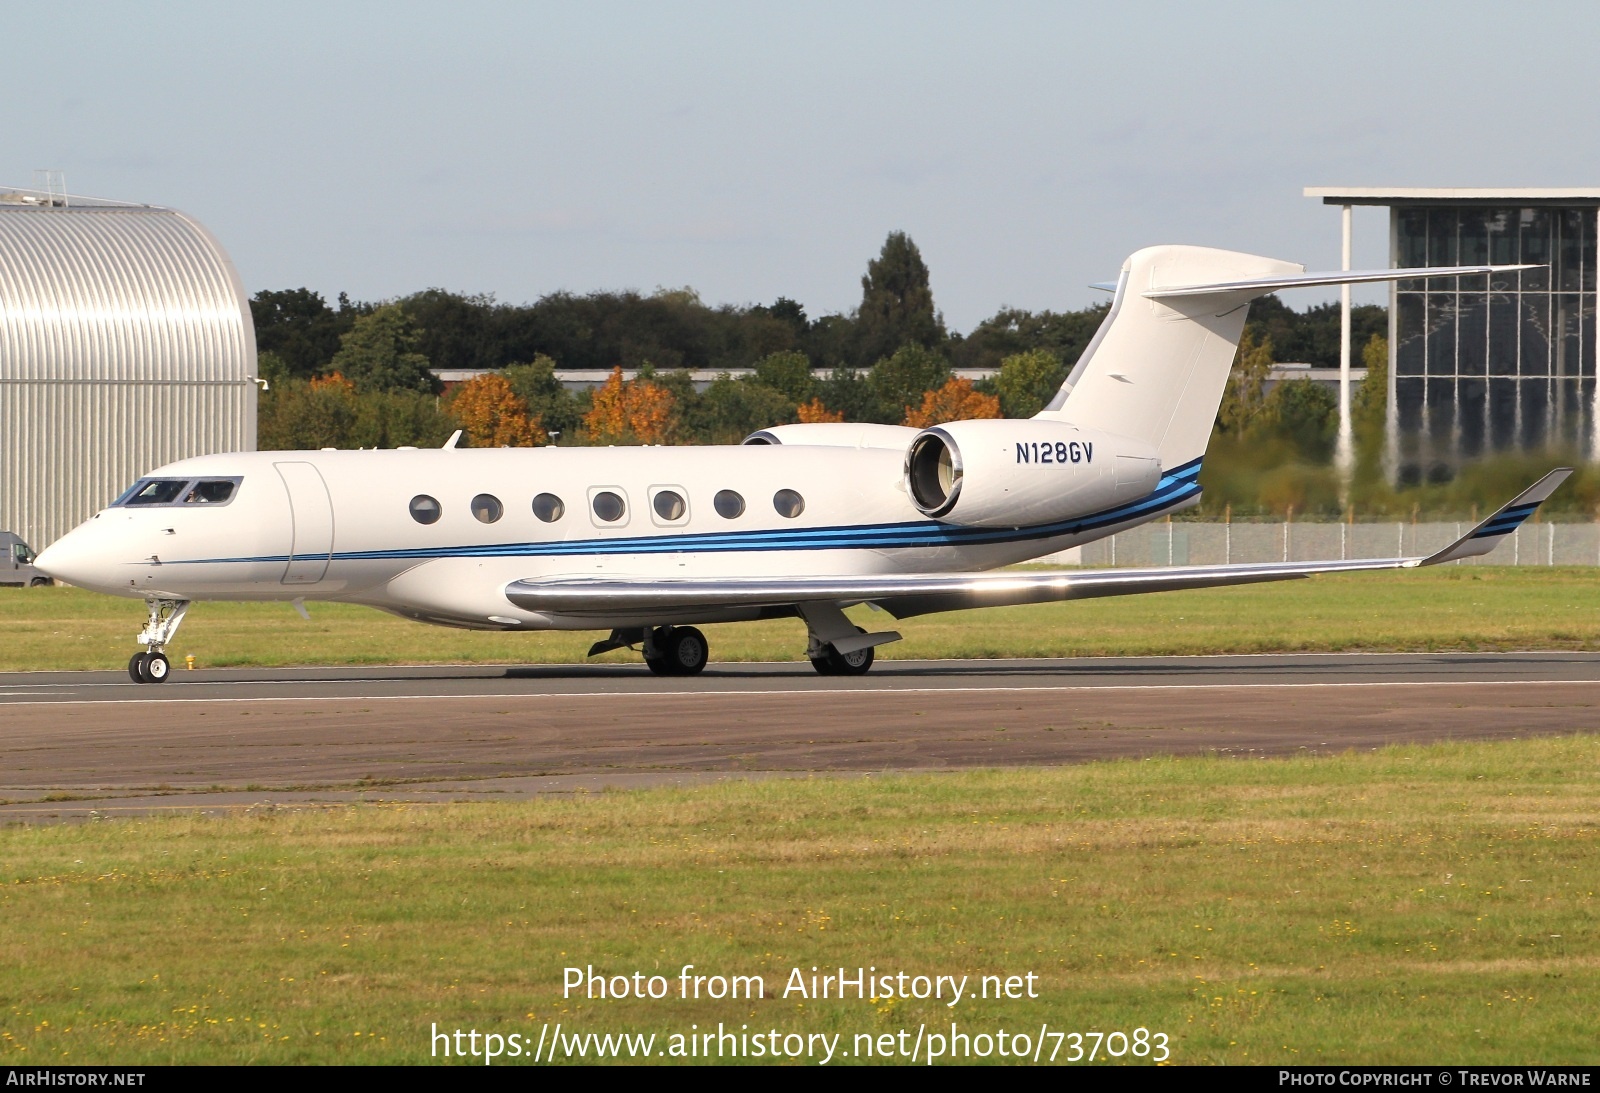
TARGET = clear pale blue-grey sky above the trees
x,y
761,151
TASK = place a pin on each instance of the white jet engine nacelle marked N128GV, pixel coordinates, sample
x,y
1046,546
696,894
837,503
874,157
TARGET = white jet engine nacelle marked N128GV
x,y
1012,474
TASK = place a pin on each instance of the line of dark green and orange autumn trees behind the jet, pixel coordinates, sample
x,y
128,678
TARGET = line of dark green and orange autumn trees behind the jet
x,y
358,374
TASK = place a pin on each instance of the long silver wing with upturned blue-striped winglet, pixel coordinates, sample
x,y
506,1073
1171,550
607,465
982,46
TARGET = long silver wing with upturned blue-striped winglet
x,y
905,596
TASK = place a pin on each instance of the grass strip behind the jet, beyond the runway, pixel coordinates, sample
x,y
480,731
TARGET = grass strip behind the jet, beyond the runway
x,y
1446,609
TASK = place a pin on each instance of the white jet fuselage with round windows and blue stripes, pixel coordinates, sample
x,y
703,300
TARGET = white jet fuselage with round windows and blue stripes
x,y
338,526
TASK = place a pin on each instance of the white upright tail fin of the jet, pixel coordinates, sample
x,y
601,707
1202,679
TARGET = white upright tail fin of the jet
x,y
1158,367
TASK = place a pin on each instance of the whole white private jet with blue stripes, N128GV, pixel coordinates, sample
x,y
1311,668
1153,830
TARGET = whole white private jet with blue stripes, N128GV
x,y
801,521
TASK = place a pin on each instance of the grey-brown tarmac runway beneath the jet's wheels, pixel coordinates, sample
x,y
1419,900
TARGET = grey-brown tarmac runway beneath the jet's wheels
x,y
81,743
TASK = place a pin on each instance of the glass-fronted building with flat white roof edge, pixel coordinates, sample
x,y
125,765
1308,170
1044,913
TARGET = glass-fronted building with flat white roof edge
x,y
1489,364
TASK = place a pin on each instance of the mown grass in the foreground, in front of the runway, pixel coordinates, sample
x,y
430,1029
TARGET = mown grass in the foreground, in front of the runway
x,y
1417,905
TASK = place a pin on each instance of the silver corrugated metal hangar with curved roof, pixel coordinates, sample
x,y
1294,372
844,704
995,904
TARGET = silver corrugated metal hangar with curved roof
x,y
126,343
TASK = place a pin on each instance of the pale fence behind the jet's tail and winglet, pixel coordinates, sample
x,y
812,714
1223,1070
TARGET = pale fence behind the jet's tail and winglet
x,y
1186,543
